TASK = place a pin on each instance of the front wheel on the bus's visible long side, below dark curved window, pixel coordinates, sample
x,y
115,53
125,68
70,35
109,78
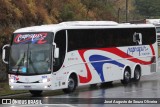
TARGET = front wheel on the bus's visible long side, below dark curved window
x,y
72,84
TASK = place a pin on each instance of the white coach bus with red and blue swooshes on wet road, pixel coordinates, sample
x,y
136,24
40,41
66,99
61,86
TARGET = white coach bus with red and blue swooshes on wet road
x,y
76,53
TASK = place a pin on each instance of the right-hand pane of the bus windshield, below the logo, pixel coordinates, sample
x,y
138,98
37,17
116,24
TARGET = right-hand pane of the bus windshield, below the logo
x,y
39,59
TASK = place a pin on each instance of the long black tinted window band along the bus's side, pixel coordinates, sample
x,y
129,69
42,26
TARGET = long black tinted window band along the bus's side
x,y
100,38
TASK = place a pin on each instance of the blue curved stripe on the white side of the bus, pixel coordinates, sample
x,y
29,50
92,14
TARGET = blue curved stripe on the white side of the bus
x,y
99,65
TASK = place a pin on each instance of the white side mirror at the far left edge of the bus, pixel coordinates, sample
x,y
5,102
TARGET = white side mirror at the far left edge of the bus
x,y
5,53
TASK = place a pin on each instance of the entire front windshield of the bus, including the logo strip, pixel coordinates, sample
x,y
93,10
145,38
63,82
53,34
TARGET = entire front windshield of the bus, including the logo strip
x,y
30,56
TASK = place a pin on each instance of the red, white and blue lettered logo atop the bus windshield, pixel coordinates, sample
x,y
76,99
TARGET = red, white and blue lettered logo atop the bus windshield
x,y
33,38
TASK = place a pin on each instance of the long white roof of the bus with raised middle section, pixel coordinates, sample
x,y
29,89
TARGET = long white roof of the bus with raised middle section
x,y
80,25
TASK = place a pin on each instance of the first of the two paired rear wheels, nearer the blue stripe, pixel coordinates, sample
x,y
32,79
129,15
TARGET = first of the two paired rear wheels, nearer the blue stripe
x,y
126,77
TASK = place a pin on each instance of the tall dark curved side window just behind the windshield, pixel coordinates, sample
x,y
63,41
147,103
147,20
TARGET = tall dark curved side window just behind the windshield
x,y
60,40
